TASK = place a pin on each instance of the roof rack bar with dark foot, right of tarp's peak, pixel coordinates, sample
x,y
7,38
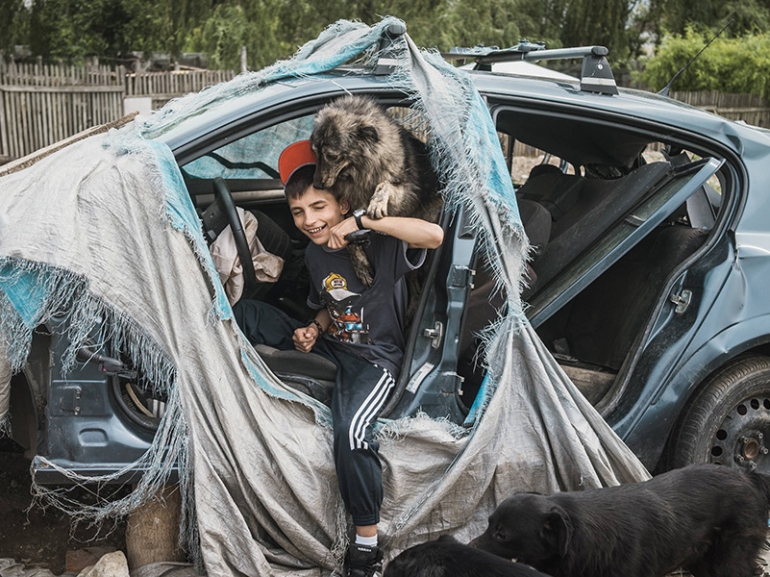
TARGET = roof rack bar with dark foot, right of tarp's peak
x,y
596,75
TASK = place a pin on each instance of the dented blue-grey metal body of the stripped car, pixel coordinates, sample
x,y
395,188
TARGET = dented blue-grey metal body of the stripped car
x,y
708,312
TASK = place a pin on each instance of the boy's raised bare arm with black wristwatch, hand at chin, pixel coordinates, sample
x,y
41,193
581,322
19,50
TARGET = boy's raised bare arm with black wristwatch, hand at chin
x,y
415,232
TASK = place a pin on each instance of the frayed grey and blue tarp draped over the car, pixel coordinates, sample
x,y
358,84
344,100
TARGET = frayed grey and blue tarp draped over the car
x,y
104,233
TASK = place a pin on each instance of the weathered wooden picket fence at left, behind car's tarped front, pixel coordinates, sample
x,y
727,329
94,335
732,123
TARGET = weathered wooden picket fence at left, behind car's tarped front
x,y
42,104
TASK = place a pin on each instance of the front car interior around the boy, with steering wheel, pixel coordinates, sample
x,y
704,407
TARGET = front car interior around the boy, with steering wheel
x,y
229,176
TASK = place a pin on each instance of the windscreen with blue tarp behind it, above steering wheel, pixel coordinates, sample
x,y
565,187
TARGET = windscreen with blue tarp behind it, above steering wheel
x,y
252,157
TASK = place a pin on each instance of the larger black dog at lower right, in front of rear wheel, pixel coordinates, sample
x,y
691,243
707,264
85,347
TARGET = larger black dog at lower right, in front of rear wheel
x,y
709,519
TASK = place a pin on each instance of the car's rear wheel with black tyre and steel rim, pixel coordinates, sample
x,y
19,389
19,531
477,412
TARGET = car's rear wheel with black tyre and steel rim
x,y
728,420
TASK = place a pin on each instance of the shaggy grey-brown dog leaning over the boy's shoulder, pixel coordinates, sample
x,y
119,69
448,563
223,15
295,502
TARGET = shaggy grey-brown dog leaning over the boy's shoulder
x,y
368,159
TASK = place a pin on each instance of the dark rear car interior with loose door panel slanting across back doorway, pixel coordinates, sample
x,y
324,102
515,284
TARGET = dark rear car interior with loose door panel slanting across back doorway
x,y
592,182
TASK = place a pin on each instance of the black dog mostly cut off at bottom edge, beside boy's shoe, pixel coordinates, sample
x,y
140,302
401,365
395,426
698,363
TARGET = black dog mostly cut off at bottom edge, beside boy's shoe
x,y
448,558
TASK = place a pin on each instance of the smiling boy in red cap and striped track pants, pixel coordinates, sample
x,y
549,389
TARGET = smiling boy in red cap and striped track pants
x,y
360,329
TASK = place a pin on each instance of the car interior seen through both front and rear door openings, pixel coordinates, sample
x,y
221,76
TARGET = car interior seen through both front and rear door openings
x,y
595,202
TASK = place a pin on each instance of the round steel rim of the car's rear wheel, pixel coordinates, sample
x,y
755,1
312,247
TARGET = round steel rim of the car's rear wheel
x,y
742,438
